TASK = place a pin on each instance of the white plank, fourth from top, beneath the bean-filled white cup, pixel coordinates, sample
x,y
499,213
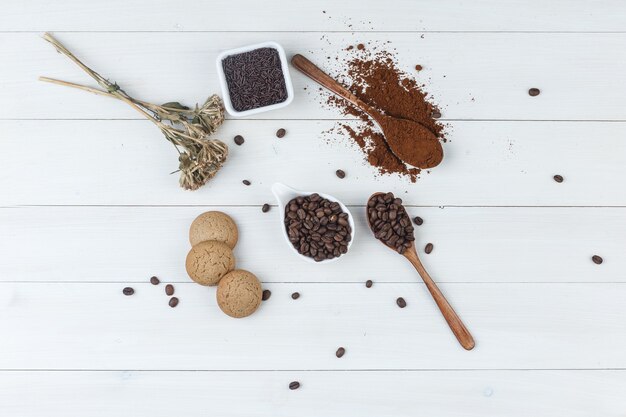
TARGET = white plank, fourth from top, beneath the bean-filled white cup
x,y
130,244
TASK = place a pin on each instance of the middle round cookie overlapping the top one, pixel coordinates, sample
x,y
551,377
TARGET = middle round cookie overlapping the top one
x,y
207,262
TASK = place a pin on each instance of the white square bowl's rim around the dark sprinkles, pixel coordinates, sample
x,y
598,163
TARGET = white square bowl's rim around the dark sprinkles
x,y
226,93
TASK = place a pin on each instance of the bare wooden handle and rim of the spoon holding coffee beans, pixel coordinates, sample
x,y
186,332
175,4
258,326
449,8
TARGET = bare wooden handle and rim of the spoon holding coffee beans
x,y
454,321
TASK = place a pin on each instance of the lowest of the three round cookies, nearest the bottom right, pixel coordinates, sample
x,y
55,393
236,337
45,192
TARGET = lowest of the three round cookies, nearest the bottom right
x,y
239,293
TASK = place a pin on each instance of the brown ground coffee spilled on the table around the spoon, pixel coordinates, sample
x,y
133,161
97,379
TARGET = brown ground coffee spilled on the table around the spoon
x,y
375,78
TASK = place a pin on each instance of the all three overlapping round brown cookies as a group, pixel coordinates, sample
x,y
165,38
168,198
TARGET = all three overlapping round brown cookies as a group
x,y
213,236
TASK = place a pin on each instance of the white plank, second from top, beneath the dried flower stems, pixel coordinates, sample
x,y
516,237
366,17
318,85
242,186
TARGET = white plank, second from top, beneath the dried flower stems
x,y
471,75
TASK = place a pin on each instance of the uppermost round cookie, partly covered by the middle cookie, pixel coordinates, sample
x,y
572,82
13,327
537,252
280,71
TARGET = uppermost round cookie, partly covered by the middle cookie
x,y
213,225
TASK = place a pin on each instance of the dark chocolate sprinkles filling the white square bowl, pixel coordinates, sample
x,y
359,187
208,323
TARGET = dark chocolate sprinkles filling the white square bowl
x,y
255,79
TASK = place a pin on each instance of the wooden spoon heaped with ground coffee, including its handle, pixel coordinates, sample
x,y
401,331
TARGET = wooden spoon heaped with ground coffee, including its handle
x,y
408,140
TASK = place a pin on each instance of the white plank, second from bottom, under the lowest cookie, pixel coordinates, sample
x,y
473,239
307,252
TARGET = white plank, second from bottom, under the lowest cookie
x,y
517,326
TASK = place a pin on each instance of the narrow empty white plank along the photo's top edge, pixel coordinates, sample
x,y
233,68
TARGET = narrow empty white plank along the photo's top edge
x,y
349,15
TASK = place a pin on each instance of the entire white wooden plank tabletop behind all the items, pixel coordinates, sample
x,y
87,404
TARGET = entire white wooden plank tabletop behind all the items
x,y
87,207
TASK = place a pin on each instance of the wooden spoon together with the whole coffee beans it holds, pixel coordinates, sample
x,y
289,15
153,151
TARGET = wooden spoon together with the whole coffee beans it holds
x,y
390,224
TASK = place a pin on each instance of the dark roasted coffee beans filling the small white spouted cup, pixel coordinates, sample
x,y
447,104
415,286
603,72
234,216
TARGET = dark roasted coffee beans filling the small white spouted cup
x,y
317,227
